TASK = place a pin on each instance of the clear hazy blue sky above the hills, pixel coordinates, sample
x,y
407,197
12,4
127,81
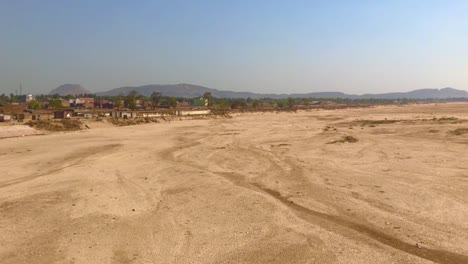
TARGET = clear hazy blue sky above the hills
x,y
262,46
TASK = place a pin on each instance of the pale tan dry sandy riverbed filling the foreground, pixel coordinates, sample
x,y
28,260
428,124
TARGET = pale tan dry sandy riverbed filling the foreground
x,y
256,188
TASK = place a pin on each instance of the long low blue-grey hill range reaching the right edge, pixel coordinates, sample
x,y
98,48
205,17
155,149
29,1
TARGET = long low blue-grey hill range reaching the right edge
x,y
190,90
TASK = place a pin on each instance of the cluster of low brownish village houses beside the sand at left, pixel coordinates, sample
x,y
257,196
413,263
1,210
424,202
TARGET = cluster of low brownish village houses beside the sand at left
x,y
88,108
